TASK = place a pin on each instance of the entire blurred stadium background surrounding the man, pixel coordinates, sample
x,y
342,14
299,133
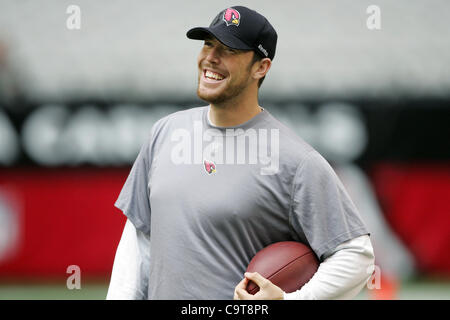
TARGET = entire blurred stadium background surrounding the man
x,y
75,106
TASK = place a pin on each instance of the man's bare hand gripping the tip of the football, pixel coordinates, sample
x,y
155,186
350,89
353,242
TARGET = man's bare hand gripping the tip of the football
x,y
267,290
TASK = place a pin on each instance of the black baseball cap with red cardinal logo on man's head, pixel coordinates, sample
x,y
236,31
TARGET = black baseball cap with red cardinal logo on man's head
x,y
240,28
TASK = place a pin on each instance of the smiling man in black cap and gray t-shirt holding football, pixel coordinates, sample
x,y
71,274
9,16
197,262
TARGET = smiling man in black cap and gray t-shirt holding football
x,y
214,185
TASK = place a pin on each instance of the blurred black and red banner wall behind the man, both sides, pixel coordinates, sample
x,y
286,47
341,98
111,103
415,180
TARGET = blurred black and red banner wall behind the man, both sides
x,y
63,165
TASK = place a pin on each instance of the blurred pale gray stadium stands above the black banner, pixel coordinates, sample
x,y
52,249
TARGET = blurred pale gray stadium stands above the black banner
x,y
138,50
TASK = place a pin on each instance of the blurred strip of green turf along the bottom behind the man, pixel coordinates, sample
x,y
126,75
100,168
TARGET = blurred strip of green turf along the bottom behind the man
x,y
419,289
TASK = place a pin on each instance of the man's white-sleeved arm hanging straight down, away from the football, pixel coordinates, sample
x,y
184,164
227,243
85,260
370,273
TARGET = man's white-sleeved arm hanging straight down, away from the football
x,y
129,278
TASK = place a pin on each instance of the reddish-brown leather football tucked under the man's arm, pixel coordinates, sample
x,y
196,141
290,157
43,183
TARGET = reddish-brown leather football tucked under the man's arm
x,y
287,264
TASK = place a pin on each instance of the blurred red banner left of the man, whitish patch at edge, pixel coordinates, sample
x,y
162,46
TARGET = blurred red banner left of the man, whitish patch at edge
x,y
55,218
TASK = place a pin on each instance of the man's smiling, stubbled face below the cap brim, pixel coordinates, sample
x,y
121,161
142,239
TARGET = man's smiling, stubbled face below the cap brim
x,y
223,73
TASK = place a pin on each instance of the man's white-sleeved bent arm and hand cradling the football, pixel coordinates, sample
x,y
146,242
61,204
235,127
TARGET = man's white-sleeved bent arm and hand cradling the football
x,y
341,275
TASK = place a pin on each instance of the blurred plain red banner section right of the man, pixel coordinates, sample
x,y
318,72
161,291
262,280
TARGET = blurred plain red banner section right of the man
x,y
416,202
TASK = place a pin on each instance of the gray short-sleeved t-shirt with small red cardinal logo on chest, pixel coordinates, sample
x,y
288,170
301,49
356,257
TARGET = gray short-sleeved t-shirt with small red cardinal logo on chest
x,y
212,197
